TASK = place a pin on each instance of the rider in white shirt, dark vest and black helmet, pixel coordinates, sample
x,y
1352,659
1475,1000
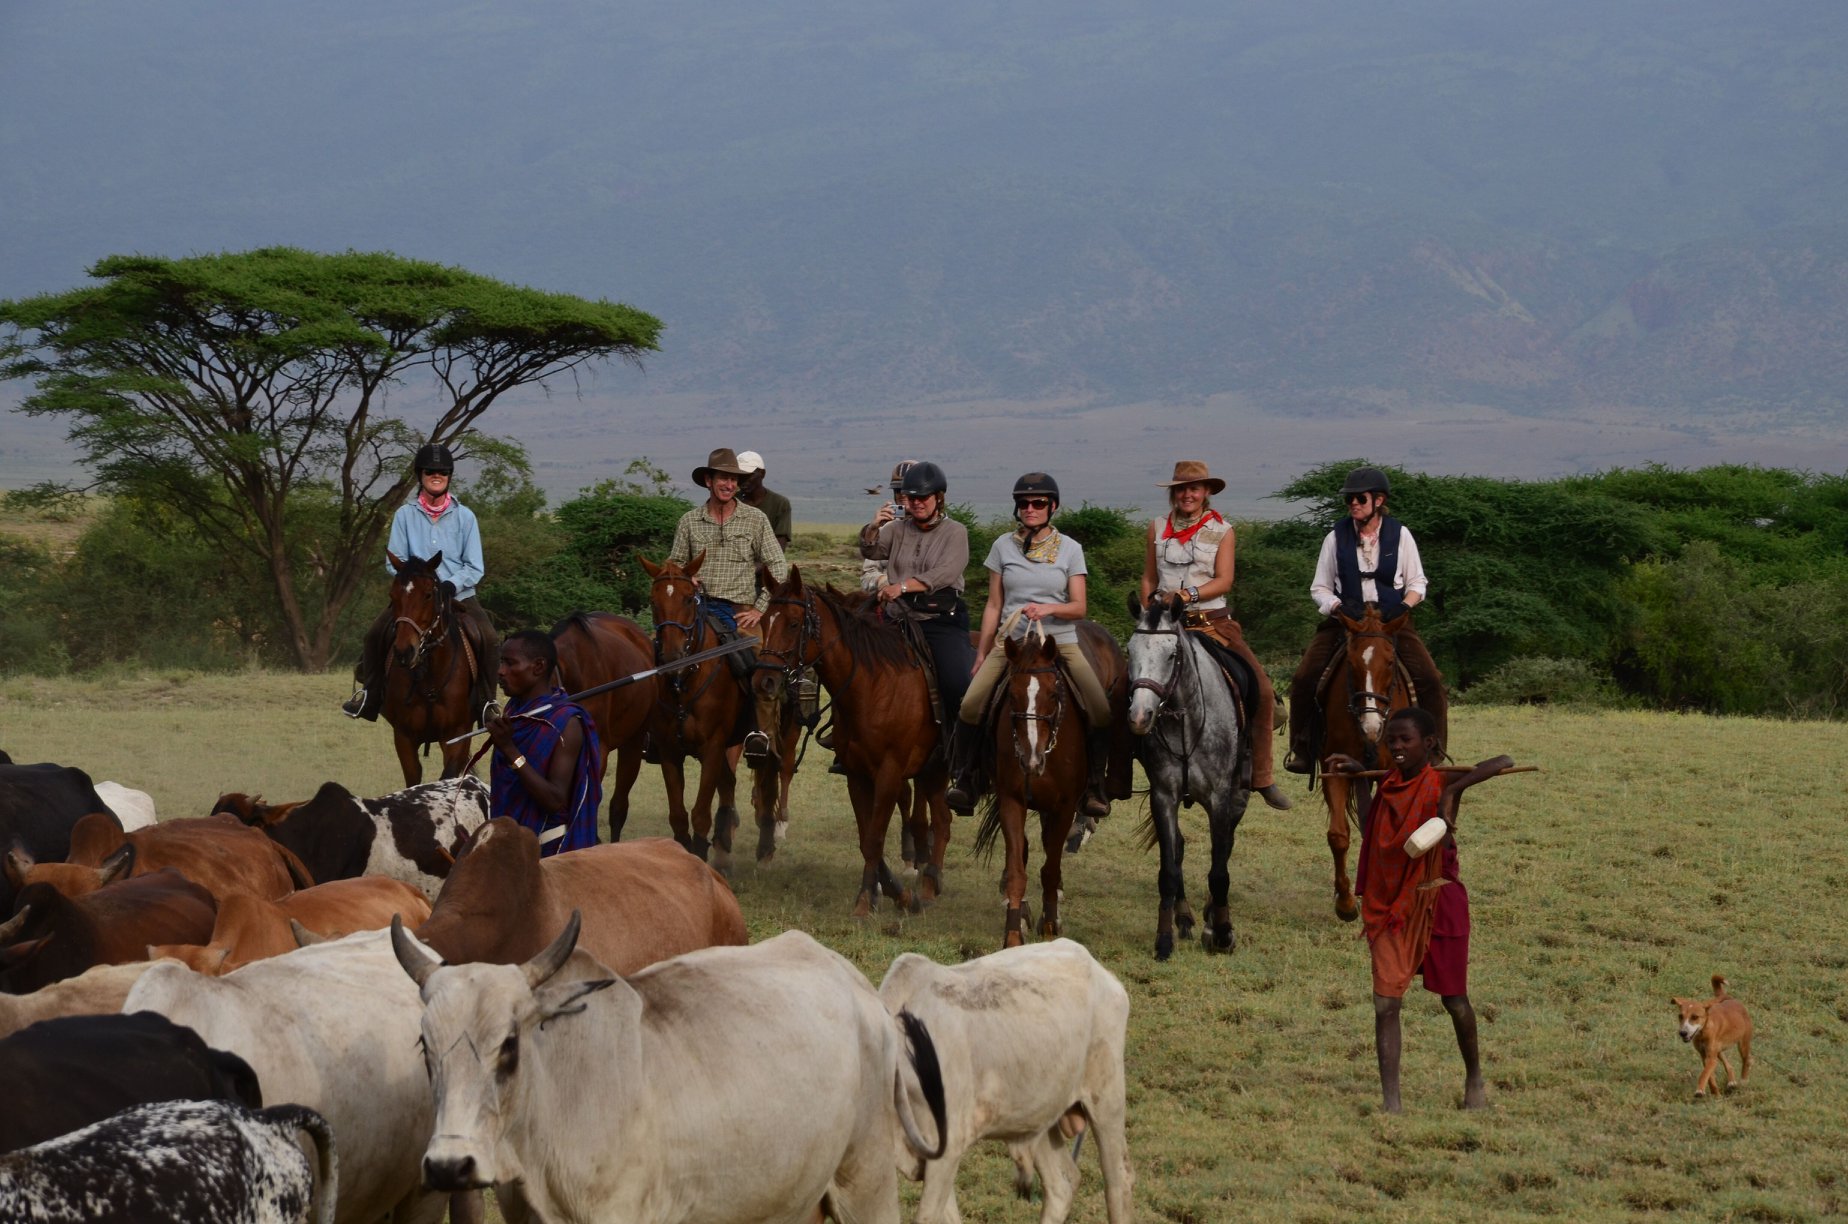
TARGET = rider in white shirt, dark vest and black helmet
x,y
1363,550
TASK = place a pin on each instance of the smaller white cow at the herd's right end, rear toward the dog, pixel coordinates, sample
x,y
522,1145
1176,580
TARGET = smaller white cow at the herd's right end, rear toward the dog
x,y
1032,1051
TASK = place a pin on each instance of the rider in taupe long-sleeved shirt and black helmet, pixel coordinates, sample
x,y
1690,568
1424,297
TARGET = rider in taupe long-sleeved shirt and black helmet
x,y
925,556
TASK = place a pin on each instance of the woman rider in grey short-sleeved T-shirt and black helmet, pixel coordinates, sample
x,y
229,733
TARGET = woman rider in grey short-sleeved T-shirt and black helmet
x,y
1039,576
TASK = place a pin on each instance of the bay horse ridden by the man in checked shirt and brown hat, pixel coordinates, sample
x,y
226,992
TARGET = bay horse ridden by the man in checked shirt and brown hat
x,y
699,713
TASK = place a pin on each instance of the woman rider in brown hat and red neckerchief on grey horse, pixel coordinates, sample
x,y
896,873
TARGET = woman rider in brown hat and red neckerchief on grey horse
x,y
1191,556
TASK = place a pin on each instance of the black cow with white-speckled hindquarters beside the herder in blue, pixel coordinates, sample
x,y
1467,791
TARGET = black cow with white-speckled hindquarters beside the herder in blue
x,y
409,835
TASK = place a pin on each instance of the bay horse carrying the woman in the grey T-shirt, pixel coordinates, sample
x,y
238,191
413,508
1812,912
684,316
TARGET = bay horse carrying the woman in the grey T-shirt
x,y
1041,765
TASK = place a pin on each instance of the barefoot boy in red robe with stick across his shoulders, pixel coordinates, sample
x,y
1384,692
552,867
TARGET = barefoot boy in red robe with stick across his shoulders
x,y
1415,911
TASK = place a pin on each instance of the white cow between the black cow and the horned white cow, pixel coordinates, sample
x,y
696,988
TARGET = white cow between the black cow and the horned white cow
x,y
332,1027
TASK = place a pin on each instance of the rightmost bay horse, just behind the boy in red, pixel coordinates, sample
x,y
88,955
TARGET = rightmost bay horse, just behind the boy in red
x,y
1365,687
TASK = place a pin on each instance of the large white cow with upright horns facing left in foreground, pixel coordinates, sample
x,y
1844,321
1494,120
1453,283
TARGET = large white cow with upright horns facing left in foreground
x,y
731,1086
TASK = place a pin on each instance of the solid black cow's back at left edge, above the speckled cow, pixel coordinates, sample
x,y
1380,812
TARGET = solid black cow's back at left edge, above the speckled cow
x,y
67,1073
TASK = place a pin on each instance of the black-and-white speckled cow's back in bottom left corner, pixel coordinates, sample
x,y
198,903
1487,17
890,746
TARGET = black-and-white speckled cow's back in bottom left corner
x,y
182,1162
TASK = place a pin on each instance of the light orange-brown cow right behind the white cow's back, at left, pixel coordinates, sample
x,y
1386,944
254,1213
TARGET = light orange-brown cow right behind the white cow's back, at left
x,y
254,929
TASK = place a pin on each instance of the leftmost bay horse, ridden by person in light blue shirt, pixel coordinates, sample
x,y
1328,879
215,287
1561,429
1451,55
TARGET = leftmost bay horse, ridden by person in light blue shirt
x,y
432,670
